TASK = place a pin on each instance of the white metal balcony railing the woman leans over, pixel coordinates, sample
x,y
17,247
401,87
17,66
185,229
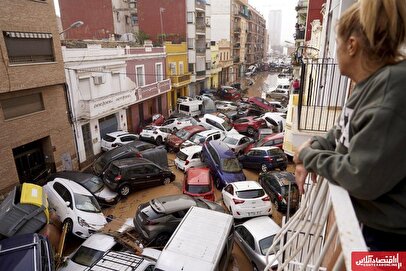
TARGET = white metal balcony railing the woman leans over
x,y
322,233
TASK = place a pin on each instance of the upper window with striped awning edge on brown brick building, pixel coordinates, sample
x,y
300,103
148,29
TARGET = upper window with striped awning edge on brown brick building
x,y
24,47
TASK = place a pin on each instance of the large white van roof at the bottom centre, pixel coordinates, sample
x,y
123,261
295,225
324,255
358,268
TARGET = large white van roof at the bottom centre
x,y
203,241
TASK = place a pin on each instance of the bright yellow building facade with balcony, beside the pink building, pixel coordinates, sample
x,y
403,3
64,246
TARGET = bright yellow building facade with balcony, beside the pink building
x,y
177,71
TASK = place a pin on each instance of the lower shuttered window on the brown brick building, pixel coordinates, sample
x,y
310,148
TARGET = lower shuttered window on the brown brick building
x,y
23,105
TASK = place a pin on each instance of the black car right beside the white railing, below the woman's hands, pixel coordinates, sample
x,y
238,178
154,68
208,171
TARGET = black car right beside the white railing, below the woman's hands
x,y
281,188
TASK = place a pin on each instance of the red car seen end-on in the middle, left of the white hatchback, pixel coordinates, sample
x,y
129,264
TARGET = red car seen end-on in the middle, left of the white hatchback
x,y
199,183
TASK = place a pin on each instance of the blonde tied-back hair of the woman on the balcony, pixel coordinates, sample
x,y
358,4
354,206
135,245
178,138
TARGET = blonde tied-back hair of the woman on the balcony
x,y
380,25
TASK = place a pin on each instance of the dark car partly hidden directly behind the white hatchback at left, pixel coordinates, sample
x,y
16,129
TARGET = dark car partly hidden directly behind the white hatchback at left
x,y
91,182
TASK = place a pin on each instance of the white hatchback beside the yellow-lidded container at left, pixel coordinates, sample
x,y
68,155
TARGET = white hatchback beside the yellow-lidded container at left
x,y
76,207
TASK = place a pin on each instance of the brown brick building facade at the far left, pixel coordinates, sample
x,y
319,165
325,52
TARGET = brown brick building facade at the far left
x,y
34,116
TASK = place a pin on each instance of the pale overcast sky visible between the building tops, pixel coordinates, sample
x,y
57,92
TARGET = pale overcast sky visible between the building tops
x,y
288,14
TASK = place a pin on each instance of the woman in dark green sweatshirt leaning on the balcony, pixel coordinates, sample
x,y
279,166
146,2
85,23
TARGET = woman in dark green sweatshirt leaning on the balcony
x,y
365,152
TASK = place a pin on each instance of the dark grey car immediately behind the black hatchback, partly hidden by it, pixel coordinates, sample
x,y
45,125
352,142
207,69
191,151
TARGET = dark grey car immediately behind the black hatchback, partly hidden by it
x,y
134,149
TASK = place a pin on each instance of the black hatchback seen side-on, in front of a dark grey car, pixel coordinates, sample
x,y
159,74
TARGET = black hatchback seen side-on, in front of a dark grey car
x,y
129,174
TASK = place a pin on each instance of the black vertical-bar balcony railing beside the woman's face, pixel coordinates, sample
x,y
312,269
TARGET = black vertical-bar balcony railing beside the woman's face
x,y
322,94
